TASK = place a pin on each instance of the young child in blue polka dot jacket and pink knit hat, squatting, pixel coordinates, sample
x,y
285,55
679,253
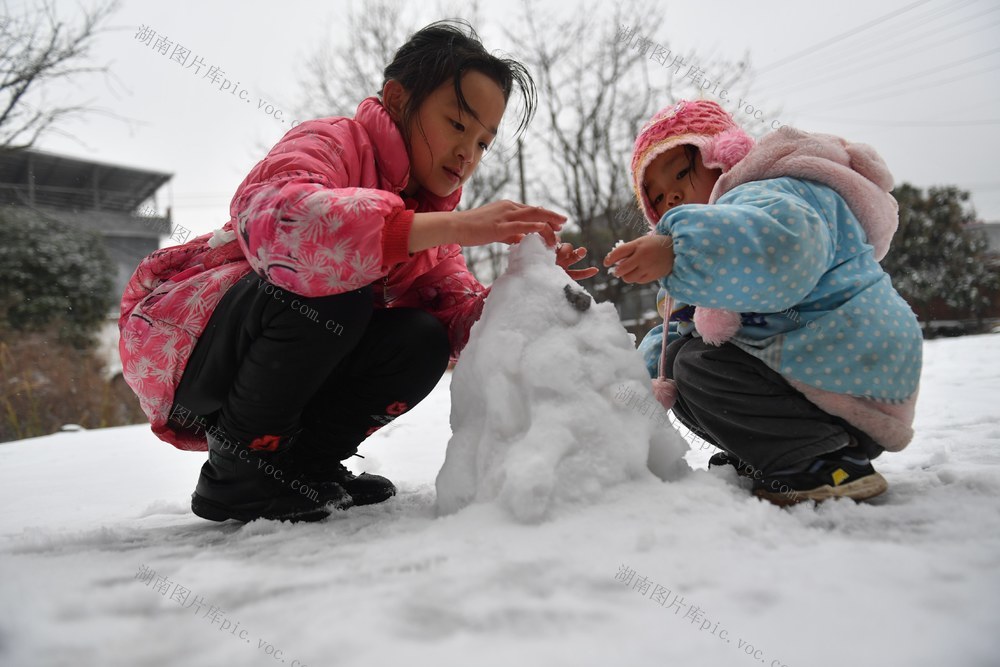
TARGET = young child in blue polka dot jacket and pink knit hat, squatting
x,y
793,352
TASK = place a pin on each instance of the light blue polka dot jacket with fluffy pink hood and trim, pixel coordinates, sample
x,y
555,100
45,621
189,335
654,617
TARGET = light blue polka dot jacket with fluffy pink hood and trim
x,y
792,257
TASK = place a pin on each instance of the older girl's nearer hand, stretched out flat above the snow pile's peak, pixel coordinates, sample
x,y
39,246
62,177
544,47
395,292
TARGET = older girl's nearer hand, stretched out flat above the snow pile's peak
x,y
505,221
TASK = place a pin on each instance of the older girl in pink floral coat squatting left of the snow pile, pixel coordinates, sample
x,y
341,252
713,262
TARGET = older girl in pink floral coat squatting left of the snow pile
x,y
332,300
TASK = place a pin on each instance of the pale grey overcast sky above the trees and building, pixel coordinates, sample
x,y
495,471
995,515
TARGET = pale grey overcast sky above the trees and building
x,y
920,86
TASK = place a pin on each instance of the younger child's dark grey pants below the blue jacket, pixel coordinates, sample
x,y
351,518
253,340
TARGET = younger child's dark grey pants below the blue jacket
x,y
734,401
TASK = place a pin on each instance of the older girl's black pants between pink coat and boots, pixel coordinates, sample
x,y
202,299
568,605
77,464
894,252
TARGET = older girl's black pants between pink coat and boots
x,y
334,369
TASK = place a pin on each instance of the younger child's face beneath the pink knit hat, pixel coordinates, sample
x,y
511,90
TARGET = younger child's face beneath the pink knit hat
x,y
671,181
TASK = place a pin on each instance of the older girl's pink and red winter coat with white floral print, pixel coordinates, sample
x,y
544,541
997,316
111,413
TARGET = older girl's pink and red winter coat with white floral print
x,y
321,214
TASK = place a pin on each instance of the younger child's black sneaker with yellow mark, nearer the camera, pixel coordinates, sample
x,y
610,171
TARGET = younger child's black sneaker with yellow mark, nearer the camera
x,y
845,473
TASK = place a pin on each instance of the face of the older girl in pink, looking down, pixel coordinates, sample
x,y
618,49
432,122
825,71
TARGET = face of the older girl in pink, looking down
x,y
447,143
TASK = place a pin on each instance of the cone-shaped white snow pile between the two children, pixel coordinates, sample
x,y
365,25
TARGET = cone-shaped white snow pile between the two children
x,y
537,412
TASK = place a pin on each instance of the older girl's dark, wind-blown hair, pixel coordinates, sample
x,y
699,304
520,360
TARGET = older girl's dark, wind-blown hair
x,y
443,51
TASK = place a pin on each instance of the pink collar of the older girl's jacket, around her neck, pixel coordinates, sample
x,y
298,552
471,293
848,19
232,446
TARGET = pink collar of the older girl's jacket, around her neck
x,y
391,157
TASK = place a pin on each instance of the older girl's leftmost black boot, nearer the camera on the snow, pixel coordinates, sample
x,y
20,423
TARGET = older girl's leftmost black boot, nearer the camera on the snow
x,y
244,483
